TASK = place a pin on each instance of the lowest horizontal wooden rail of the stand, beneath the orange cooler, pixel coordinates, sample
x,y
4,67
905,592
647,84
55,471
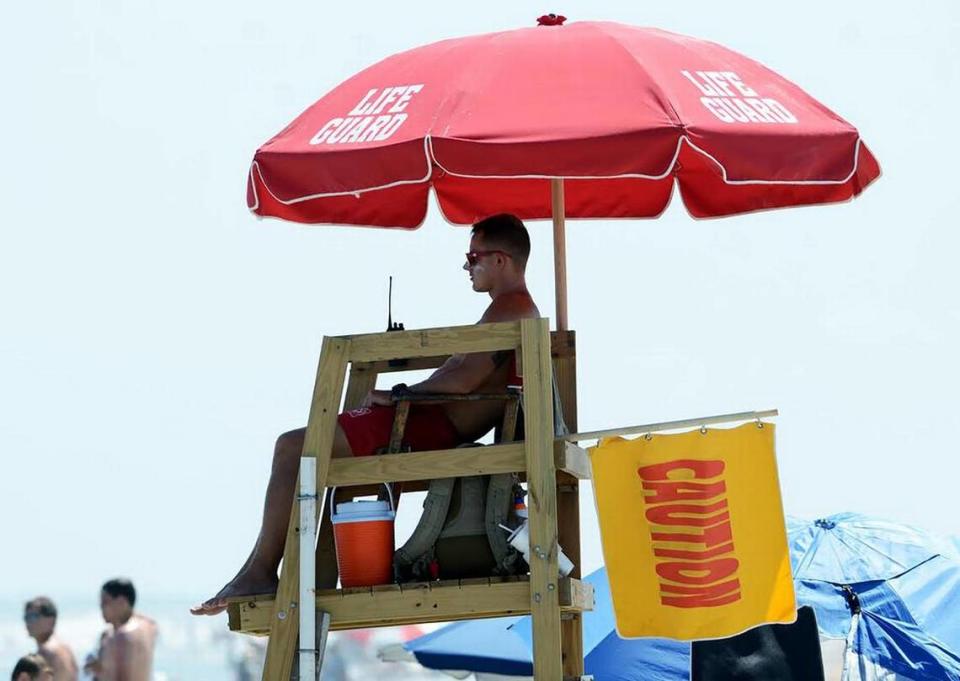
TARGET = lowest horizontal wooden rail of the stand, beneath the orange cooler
x,y
392,605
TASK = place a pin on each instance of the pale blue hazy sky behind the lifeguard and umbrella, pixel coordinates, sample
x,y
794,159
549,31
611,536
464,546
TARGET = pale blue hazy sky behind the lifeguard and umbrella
x,y
156,337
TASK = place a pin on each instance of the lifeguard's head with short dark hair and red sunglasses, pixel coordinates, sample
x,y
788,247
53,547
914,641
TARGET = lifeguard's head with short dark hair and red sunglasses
x,y
499,248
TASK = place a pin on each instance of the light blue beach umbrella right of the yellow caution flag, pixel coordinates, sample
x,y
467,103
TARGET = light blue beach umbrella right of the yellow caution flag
x,y
892,591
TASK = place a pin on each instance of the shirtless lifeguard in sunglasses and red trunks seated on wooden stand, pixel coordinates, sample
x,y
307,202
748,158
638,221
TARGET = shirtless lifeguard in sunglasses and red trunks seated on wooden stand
x,y
499,248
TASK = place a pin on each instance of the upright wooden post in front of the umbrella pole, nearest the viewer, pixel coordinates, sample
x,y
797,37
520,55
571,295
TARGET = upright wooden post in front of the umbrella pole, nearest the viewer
x,y
542,499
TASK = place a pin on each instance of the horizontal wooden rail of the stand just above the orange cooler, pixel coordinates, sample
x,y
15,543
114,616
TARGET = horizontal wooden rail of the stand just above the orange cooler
x,y
451,463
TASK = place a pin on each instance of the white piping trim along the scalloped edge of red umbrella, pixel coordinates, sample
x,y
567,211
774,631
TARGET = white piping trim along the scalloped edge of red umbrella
x,y
431,159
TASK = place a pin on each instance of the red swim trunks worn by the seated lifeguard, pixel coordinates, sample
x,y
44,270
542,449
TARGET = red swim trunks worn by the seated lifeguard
x,y
368,429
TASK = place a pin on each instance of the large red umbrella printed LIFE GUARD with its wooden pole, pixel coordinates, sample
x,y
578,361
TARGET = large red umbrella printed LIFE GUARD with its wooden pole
x,y
588,120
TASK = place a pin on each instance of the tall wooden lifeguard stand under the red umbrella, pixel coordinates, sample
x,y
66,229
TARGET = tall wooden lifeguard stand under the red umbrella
x,y
552,467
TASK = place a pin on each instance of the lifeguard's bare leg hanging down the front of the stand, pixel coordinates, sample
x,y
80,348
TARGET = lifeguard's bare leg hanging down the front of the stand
x,y
258,575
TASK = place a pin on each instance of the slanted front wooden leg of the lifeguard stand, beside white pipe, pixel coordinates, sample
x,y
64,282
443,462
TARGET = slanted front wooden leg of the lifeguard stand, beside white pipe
x,y
318,443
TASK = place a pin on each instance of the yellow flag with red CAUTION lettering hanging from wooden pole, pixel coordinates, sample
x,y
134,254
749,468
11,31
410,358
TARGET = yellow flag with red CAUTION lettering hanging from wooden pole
x,y
693,532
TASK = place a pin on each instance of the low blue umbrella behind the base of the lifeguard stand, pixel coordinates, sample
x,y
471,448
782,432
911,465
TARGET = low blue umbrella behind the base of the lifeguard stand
x,y
504,645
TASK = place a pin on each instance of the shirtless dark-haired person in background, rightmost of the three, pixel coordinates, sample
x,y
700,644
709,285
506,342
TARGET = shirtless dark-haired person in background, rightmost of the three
x,y
127,645
